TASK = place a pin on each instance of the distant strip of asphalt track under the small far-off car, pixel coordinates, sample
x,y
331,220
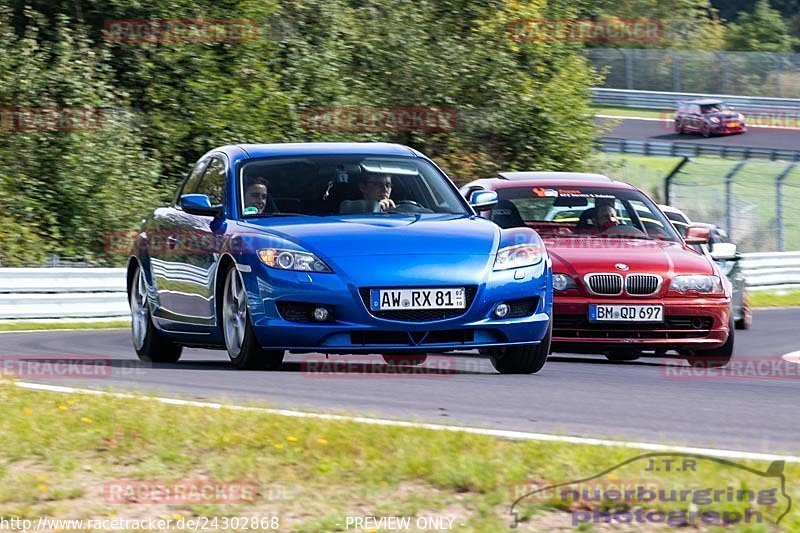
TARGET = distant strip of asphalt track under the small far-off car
x,y
659,130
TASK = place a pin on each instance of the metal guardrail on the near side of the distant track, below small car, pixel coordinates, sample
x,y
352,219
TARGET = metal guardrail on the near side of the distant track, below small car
x,y
685,149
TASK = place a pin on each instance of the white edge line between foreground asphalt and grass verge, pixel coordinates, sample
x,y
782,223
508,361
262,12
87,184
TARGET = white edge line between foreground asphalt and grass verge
x,y
502,433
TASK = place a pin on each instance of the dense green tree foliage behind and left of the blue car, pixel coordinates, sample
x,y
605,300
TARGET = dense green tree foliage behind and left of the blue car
x,y
518,105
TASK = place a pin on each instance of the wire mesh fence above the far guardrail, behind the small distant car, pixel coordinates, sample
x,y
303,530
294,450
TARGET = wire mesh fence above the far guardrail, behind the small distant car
x,y
733,73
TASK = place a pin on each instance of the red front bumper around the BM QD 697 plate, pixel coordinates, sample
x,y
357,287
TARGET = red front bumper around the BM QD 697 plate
x,y
689,323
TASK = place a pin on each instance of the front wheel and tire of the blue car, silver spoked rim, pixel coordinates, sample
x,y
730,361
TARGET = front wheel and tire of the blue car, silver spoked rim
x,y
241,343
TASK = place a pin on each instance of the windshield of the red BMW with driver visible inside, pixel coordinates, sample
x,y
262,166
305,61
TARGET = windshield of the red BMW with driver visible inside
x,y
557,211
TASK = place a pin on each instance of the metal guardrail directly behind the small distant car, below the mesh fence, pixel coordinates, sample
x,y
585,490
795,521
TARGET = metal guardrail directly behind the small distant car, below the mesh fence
x,y
667,100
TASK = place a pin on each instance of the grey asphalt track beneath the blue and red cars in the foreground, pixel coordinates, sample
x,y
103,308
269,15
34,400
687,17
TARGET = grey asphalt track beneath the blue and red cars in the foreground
x,y
573,395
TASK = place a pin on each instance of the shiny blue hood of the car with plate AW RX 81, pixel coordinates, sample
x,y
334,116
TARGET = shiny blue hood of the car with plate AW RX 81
x,y
350,236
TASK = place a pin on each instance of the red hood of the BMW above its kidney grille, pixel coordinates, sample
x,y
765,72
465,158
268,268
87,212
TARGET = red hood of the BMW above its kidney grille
x,y
577,257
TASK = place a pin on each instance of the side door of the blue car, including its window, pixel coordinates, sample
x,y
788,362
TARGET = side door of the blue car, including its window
x,y
196,243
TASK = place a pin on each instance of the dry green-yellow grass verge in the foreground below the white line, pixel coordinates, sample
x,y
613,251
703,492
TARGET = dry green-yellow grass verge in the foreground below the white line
x,y
59,451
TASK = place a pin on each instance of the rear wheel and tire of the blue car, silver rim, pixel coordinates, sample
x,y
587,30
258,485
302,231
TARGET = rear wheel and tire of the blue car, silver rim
x,y
150,344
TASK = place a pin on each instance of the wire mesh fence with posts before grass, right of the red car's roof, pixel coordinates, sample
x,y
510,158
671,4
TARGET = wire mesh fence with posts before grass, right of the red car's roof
x,y
756,202
